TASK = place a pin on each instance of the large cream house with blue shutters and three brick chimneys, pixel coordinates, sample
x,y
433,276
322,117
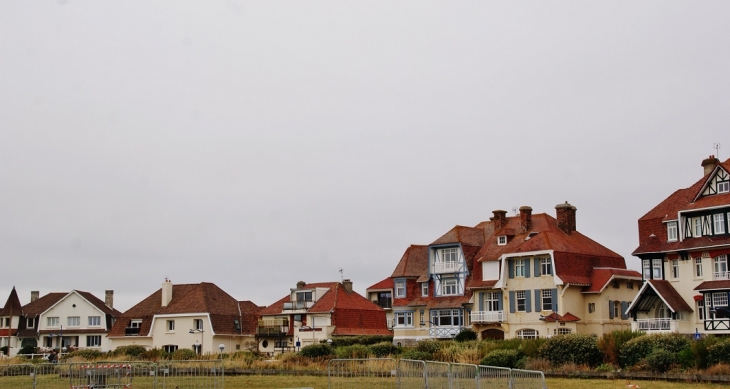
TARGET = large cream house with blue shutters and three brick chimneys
x,y
525,276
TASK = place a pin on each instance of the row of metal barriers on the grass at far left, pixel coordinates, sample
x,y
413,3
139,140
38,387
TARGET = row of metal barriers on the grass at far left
x,y
117,375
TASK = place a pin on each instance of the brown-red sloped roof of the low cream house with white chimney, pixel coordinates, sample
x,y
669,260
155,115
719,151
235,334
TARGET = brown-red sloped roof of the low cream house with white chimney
x,y
203,298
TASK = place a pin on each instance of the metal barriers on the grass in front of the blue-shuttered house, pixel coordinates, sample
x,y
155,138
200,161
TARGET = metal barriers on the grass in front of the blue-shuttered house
x,y
389,373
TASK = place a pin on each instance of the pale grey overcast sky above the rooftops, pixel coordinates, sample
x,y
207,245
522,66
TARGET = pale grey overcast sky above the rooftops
x,y
256,144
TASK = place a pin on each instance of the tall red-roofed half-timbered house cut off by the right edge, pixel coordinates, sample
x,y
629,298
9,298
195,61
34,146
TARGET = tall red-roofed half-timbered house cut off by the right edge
x,y
684,244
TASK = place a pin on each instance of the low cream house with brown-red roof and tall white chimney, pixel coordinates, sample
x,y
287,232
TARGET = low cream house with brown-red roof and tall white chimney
x,y
200,316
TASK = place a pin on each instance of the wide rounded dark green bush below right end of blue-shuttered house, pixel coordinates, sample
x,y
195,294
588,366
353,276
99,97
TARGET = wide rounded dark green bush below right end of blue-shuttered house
x,y
572,348
